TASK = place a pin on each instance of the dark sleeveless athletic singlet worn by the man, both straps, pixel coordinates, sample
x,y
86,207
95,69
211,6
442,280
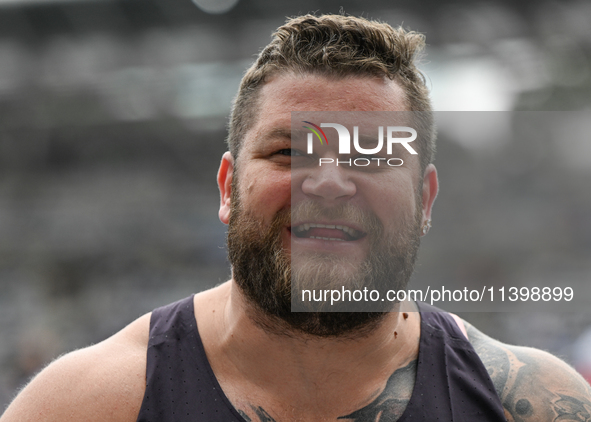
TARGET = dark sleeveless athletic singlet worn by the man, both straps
x,y
451,384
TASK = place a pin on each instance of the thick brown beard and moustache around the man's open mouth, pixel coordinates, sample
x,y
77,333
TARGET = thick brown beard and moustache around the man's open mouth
x,y
262,270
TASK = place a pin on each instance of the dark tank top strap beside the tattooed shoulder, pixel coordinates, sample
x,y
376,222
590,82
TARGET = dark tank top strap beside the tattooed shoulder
x,y
451,383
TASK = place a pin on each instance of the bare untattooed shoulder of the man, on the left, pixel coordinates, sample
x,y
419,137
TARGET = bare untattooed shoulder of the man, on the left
x,y
104,382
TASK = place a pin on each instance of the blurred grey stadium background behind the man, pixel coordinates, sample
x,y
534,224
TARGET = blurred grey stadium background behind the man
x,y
112,122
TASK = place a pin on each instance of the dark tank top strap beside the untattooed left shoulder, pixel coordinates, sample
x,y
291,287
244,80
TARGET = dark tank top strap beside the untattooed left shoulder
x,y
180,384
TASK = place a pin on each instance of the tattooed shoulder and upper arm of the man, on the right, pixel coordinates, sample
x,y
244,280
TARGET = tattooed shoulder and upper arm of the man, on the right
x,y
533,385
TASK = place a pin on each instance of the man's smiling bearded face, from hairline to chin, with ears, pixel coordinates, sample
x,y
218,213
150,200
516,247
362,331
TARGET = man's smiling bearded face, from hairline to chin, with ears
x,y
280,199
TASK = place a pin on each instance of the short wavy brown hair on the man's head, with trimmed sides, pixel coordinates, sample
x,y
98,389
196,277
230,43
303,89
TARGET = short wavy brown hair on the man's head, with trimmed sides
x,y
338,46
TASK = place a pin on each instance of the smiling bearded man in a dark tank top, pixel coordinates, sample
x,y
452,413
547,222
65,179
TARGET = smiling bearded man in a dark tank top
x,y
237,352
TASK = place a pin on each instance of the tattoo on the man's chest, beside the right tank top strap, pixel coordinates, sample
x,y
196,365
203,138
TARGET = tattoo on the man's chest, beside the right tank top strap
x,y
392,402
